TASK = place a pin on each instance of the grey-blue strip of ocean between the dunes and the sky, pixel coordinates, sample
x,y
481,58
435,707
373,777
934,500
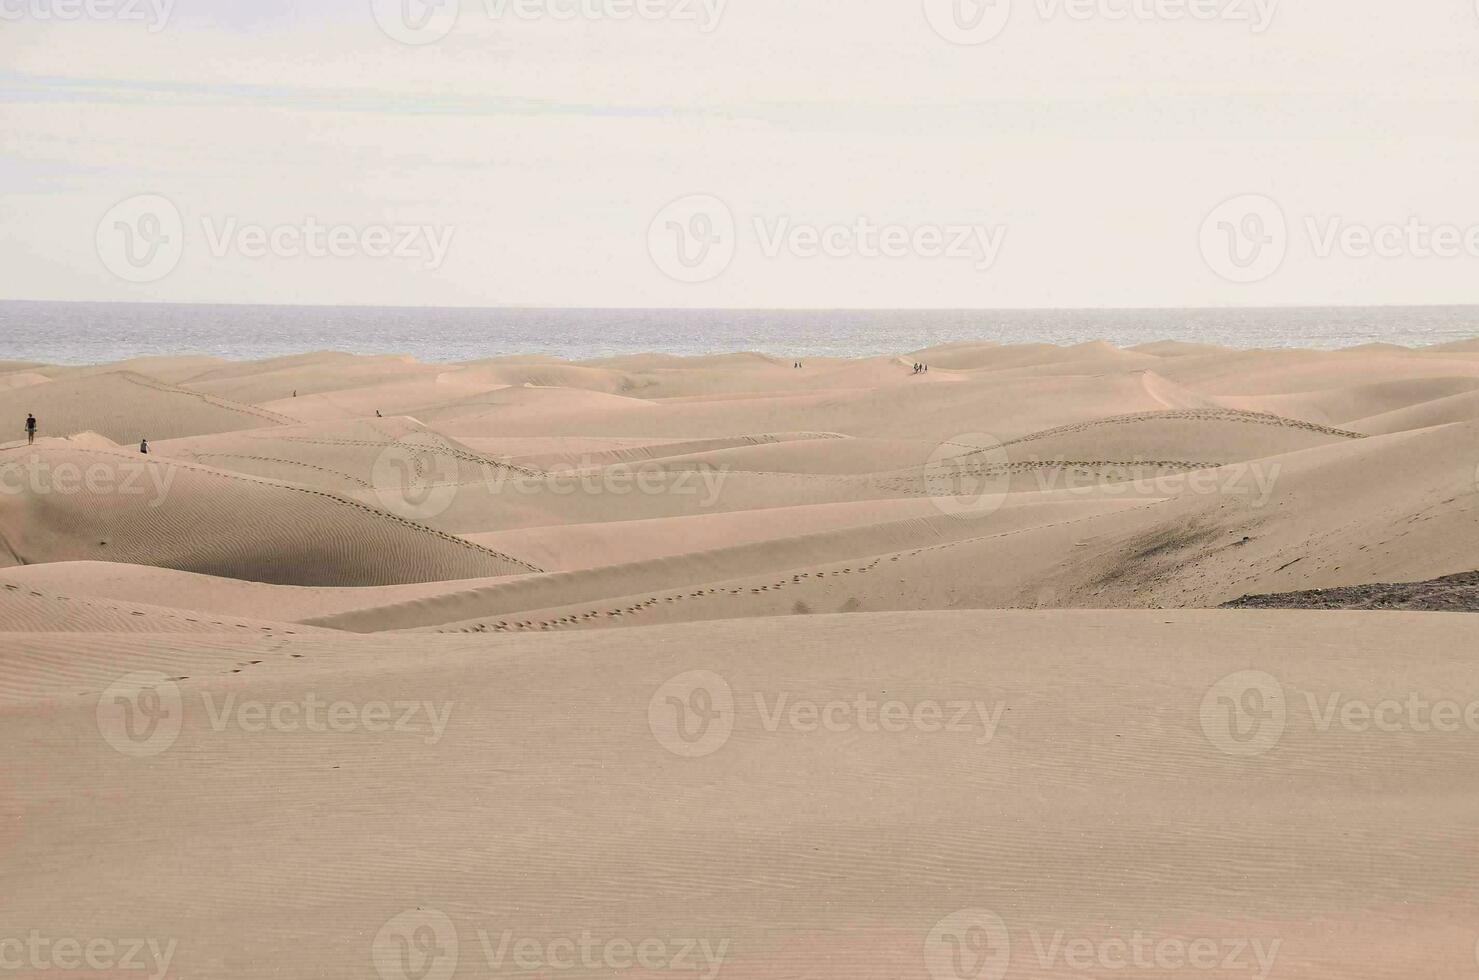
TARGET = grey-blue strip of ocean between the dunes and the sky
x,y
91,333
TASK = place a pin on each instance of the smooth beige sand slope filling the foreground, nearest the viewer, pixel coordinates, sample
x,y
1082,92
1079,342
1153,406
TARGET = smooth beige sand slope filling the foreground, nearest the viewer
x,y
1092,797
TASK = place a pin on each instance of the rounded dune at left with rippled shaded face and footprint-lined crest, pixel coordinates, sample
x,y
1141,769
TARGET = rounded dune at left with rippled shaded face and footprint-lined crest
x,y
92,505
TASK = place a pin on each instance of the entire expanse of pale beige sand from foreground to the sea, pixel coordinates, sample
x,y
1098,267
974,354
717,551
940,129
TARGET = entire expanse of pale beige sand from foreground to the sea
x,y
1029,525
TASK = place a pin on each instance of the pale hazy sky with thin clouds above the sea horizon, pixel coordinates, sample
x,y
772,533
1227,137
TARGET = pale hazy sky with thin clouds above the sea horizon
x,y
742,153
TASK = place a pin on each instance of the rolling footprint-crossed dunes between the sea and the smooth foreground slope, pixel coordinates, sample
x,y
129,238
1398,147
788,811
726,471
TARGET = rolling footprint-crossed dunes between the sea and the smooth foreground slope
x,y
629,480
